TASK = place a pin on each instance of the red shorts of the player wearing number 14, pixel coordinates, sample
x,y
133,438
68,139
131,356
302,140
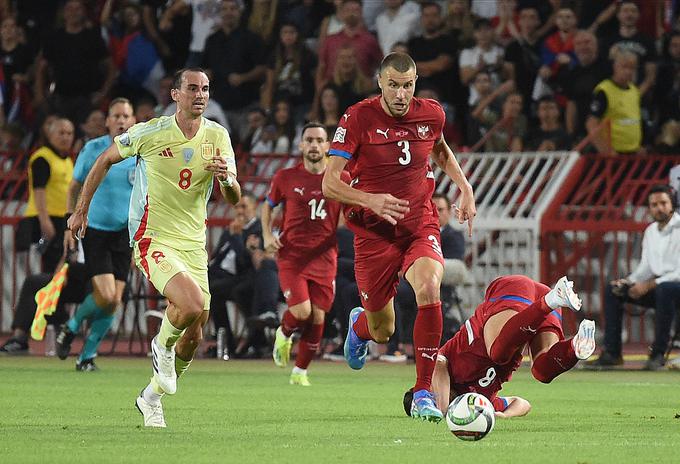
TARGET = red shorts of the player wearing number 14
x,y
298,286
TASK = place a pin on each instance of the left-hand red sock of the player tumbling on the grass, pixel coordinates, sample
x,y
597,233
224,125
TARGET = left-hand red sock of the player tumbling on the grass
x,y
518,330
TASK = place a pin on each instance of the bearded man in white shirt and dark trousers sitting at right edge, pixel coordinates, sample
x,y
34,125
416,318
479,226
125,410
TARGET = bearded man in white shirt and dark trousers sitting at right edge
x,y
655,283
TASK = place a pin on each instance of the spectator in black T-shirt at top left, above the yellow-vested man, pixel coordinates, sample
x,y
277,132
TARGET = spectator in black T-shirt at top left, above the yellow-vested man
x,y
77,59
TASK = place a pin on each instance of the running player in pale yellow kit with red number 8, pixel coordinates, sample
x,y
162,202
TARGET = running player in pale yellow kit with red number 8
x,y
177,158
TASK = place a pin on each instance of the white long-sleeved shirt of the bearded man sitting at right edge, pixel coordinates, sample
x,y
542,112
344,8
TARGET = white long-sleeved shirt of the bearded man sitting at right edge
x,y
660,253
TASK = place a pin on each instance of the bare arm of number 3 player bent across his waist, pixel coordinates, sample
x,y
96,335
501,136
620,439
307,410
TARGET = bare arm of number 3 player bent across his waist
x,y
384,205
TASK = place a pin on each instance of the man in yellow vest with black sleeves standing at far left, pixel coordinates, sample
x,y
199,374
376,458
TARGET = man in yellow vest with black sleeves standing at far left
x,y
50,170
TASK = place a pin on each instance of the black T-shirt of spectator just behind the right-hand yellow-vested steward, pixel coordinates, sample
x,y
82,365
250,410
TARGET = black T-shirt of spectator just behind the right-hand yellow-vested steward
x,y
578,84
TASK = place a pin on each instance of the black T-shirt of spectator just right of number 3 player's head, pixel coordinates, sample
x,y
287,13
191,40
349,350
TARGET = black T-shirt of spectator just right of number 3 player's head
x,y
424,49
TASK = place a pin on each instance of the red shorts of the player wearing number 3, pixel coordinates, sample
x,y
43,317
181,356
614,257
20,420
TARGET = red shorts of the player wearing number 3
x,y
378,262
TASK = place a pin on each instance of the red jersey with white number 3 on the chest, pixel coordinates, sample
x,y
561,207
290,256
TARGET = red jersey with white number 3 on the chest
x,y
390,155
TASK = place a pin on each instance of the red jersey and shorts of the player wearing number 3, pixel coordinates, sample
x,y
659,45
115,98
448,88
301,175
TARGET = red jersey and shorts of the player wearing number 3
x,y
390,155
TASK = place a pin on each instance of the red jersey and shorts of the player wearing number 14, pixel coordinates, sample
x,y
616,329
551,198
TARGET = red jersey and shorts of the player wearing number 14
x,y
308,259
